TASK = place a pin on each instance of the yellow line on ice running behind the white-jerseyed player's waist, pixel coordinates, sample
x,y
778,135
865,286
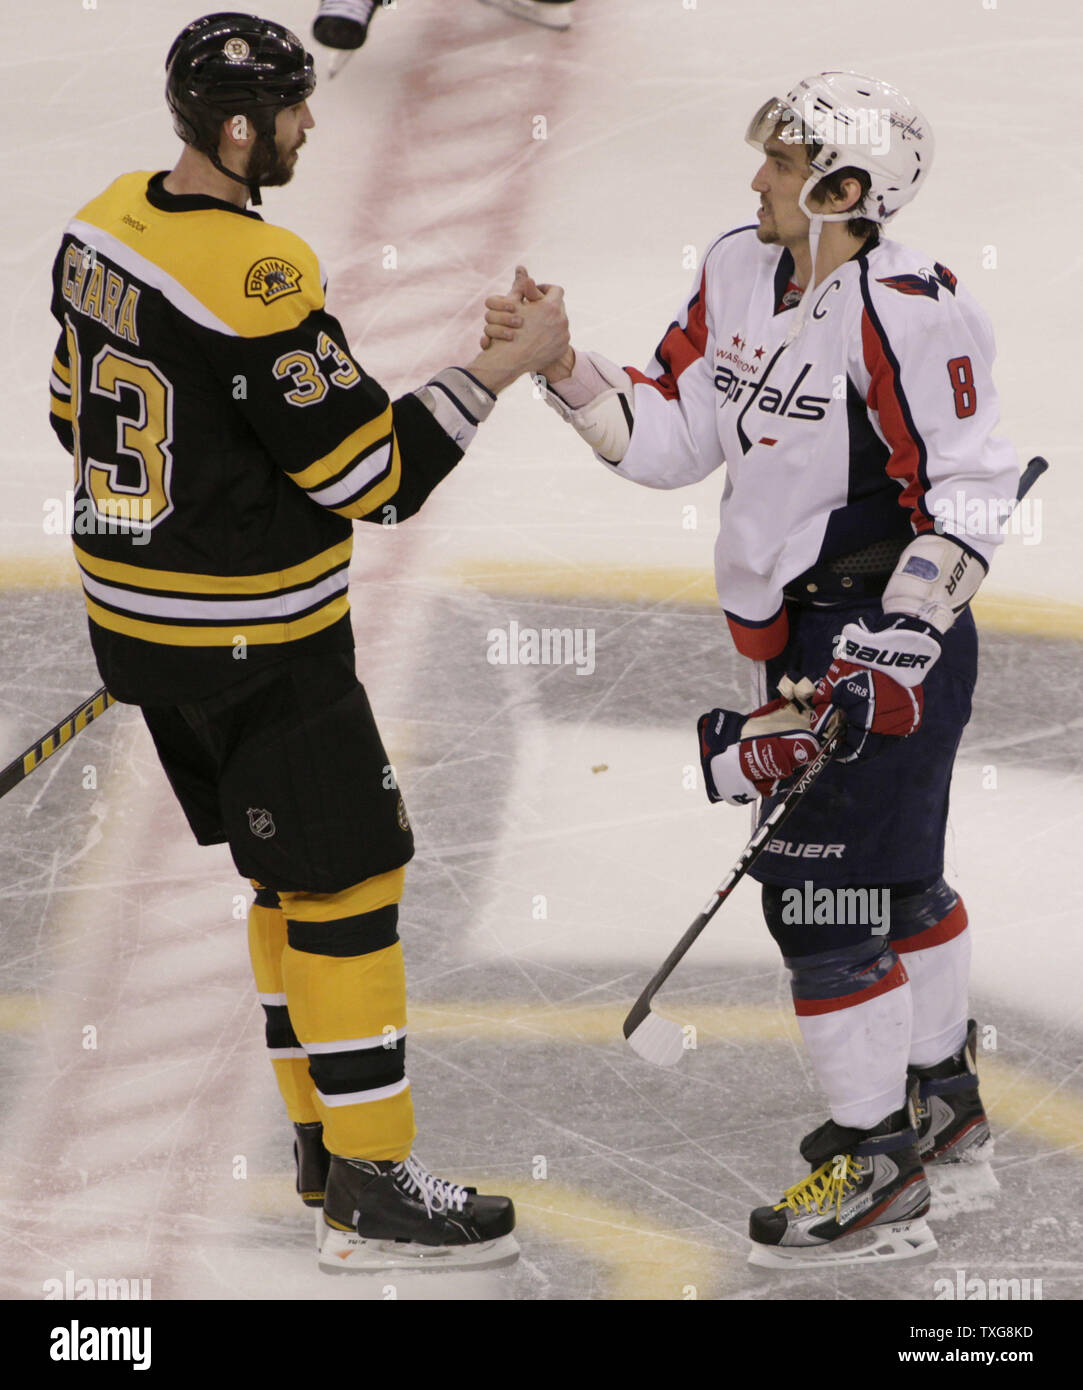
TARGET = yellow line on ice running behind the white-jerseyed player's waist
x,y
674,584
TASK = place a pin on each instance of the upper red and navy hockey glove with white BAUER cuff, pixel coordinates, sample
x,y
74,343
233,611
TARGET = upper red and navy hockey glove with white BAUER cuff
x,y
877,680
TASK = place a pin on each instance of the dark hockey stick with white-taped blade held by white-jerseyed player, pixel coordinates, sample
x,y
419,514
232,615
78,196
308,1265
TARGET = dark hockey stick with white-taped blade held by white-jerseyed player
x,y
661,1040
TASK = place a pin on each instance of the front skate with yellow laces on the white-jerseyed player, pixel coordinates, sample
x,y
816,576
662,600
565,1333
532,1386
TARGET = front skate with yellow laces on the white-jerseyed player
x,y
865,1202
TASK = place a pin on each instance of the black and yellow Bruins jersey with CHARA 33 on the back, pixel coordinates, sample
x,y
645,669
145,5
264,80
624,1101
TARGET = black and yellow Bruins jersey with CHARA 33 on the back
x,y
223,439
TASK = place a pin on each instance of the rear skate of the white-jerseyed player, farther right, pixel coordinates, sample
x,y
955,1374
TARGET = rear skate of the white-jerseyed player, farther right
x,y
953,1132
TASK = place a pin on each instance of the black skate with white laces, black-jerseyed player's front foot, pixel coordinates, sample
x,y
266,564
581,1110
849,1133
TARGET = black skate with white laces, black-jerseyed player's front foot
x,y
383,1216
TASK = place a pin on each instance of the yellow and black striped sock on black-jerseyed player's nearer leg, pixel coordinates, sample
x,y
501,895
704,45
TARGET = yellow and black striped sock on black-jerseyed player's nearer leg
x,y
345,982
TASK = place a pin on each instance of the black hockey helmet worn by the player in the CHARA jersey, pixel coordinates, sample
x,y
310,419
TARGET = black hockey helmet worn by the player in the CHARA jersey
x,y
234,65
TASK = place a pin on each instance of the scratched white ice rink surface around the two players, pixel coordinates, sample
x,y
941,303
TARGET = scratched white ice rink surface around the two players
x,y
560,851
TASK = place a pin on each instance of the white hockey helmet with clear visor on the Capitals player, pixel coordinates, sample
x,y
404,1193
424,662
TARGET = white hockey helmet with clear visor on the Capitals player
x,y
850,122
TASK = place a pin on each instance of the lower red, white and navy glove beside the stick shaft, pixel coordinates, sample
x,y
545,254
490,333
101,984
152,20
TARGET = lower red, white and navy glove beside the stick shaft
x,y
751,755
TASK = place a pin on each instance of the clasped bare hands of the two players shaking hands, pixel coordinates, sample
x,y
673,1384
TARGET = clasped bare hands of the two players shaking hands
x,y
526,332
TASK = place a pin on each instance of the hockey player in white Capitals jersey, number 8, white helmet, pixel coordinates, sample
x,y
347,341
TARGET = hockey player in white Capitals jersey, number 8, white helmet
x,y
845,382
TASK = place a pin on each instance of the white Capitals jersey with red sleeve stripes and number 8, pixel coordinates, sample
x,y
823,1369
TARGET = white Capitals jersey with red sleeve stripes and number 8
x,y
875,425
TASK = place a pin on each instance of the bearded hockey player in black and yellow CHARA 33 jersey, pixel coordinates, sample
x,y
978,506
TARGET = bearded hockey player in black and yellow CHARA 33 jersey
x,y
225,443
